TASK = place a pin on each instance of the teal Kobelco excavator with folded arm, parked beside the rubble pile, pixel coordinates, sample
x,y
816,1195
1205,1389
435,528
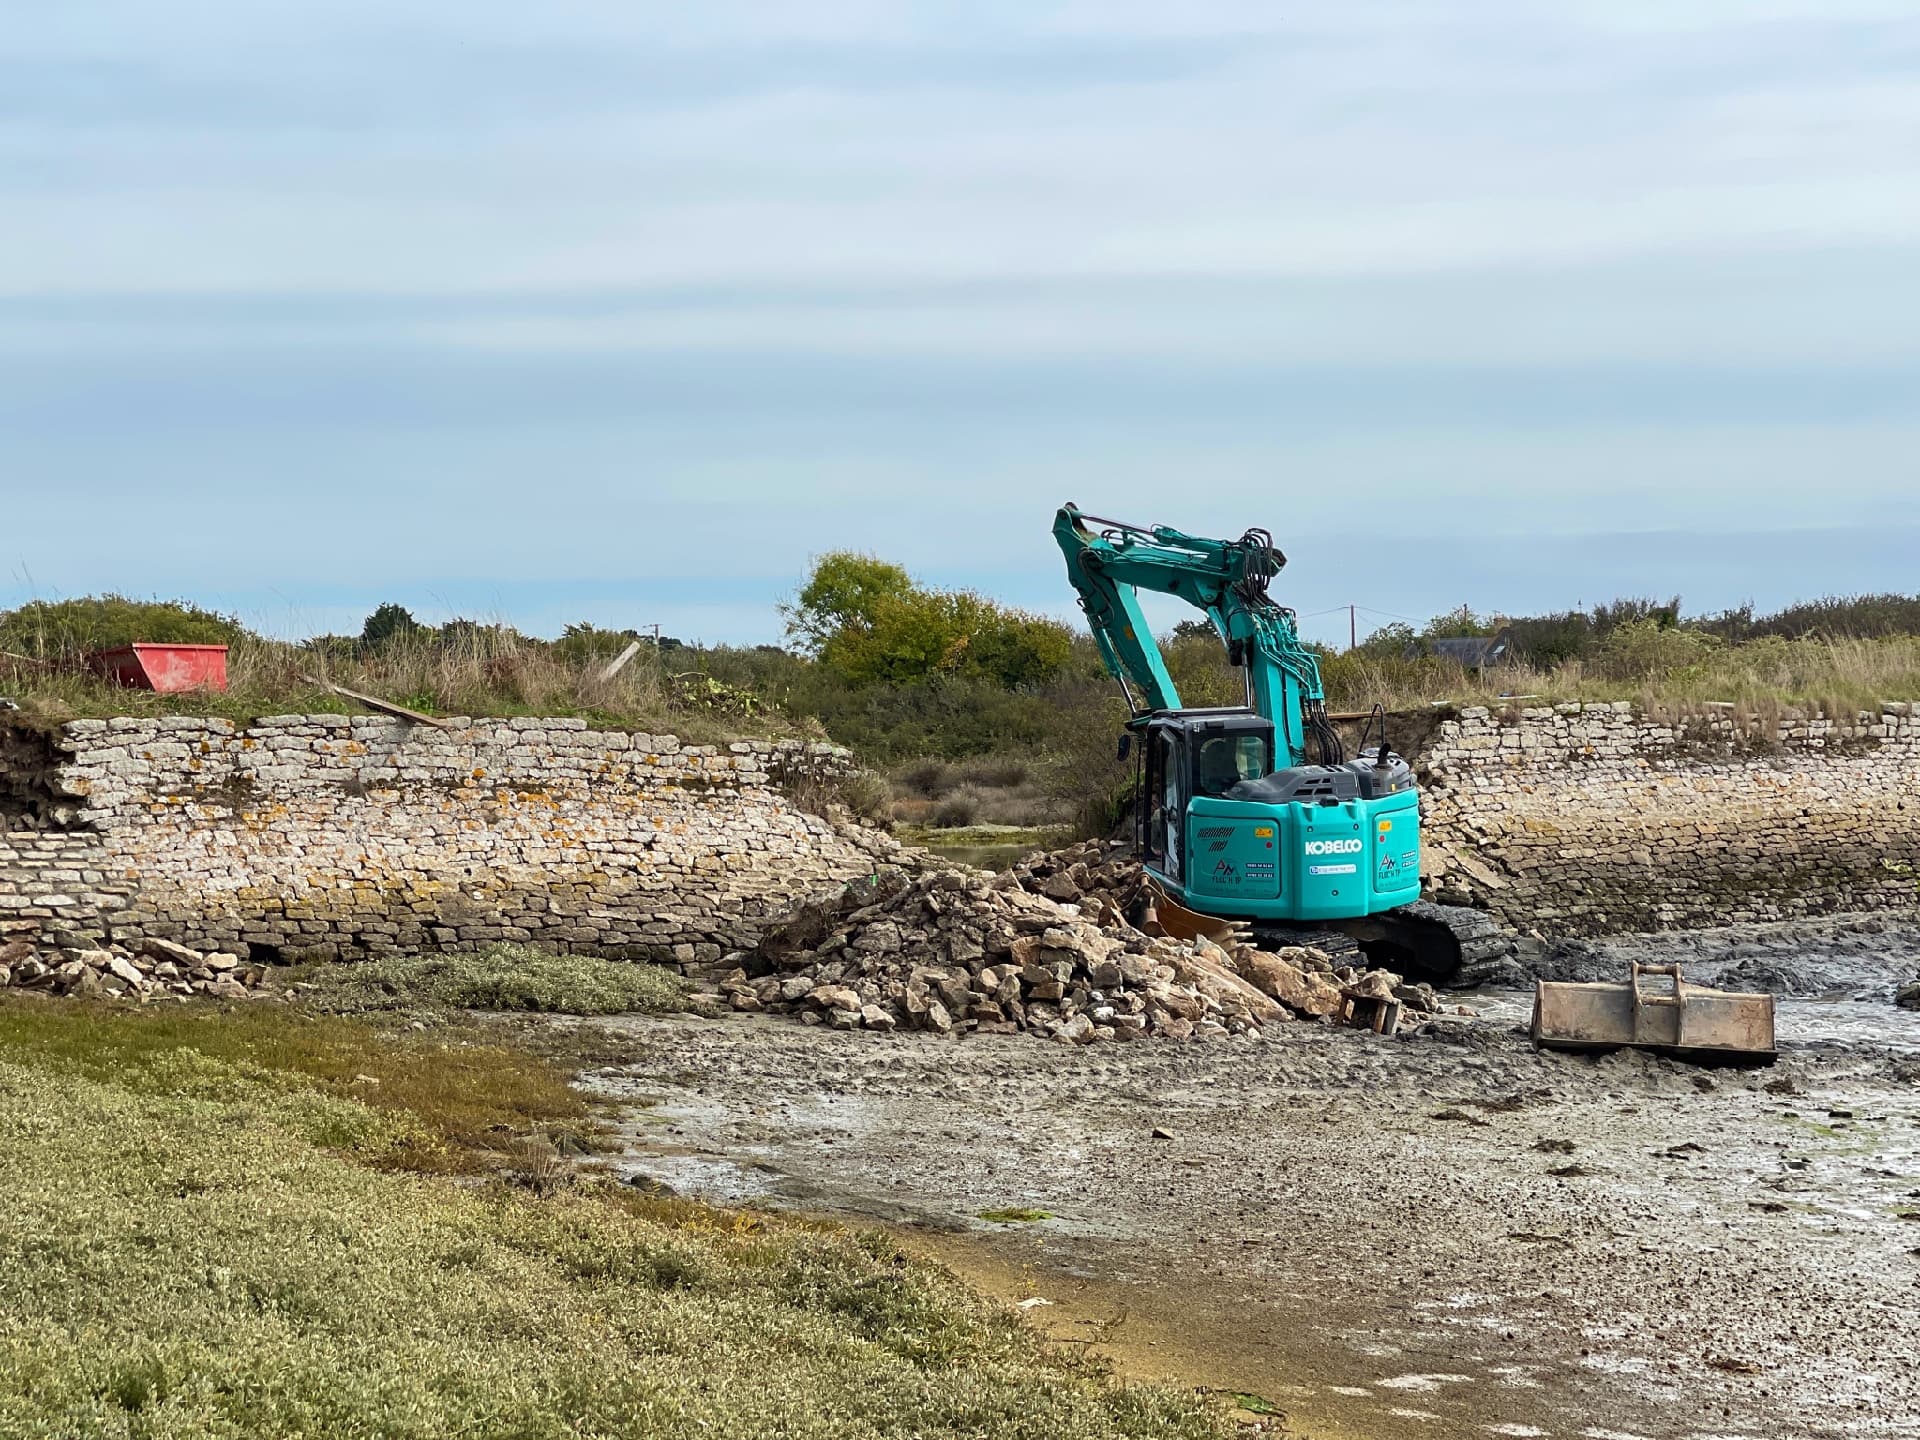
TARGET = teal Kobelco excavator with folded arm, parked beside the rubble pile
x,y
1255,811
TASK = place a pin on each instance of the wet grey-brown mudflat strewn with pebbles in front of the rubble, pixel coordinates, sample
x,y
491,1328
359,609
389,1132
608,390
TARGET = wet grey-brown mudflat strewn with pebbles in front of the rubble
x,y
1410,1237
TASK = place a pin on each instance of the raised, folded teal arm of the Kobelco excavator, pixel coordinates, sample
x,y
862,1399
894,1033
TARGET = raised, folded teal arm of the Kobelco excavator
x,y
1228,581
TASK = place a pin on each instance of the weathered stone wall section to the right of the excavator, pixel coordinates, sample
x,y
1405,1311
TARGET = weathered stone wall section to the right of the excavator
x,y
1585,821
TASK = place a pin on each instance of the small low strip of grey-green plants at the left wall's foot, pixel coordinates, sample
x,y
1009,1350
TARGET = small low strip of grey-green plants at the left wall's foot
x,y
500,978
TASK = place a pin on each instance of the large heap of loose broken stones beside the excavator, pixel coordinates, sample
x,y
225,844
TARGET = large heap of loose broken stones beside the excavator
x,y
957,951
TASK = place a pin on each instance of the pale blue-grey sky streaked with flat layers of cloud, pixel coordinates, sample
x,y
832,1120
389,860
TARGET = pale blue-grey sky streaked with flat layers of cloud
x,y
621,310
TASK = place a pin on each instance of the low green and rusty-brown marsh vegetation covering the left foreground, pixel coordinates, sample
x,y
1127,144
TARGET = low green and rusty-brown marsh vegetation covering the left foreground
x,y
245,1224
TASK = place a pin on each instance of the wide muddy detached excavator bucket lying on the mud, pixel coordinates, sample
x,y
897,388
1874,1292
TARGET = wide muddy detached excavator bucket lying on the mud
x,y
1689,1020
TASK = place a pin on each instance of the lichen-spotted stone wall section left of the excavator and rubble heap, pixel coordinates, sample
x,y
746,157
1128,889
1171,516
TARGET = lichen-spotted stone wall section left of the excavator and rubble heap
x,y
335,836
